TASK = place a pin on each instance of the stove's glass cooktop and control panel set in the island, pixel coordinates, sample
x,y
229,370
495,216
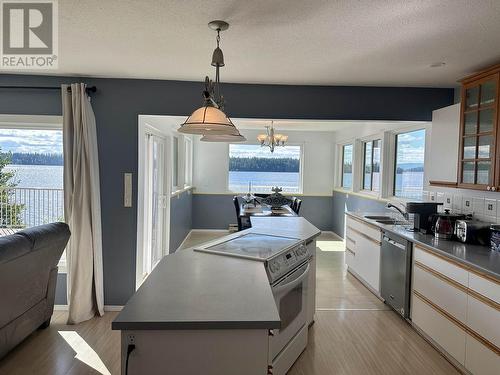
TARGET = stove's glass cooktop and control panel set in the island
x,y
279,254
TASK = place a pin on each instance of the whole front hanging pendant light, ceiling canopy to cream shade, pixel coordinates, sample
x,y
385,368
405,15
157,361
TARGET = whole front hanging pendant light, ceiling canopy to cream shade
x,y
211,119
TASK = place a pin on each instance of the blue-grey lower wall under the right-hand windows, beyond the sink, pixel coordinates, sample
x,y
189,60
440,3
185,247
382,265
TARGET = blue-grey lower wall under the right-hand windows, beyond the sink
x,y
342,202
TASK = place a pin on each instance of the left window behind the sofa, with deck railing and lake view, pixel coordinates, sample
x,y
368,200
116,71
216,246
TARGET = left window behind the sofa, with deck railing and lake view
x,y
31,178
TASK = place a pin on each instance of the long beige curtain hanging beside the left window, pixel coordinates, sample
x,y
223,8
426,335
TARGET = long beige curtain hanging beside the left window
x,y
82,206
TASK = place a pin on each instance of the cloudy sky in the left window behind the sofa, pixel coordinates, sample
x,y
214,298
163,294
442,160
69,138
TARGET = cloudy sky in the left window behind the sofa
x,y
40,141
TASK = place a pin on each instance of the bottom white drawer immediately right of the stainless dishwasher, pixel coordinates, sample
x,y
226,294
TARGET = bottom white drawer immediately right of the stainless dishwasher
x,y
439,328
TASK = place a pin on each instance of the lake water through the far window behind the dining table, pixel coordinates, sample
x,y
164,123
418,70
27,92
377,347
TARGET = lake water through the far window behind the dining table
x,y
263,182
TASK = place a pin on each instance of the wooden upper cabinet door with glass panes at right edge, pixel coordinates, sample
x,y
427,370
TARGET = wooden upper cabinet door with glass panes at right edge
x,y
479,151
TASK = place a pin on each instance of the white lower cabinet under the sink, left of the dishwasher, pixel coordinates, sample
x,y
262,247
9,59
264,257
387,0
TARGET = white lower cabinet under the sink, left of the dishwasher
x,y
363,252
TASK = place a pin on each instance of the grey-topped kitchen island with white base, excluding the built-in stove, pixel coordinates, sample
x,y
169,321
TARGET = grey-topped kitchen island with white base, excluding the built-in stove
x,y
204,313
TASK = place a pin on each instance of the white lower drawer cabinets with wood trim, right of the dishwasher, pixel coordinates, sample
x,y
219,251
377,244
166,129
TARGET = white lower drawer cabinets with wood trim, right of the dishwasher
x,y
459,310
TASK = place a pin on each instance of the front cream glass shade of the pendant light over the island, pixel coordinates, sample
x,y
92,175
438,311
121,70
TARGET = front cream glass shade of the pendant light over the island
x,y
208,120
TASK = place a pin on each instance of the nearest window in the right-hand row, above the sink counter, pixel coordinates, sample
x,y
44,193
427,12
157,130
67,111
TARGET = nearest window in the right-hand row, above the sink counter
x,y
409,168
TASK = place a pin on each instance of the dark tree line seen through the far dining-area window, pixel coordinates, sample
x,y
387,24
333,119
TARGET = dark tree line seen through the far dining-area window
x,y
254,164
